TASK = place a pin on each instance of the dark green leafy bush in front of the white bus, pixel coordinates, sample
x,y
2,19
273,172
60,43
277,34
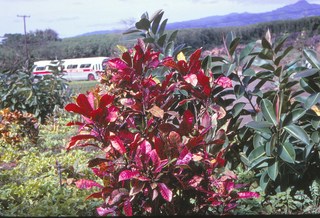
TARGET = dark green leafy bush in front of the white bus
x,y
19,90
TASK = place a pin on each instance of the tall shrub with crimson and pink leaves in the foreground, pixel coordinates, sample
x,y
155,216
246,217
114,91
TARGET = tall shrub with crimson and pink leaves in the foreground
x,y
162,143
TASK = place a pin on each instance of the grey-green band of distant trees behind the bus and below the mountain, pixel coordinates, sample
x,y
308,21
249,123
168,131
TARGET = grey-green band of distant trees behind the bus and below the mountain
x,y
46,44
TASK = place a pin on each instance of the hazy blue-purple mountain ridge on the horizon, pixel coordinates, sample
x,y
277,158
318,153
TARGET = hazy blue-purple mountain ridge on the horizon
x,y
297,10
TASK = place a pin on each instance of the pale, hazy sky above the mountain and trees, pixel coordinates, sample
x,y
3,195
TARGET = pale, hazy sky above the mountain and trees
x,y
74,17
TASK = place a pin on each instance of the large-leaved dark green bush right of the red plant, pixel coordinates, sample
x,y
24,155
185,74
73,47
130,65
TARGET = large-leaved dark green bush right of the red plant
x,y
279,140
